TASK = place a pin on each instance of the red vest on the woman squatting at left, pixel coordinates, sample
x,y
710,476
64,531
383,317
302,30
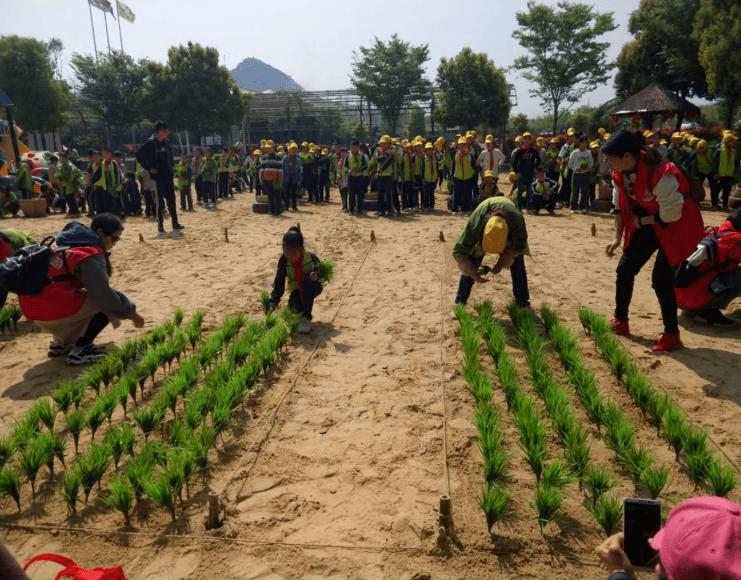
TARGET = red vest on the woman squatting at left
x,y
63,298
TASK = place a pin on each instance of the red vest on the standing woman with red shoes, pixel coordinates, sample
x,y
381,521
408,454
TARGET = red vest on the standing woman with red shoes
x,y
677,239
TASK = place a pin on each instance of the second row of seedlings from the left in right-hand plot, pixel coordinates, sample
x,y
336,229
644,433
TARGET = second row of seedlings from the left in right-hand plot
x,y
550,475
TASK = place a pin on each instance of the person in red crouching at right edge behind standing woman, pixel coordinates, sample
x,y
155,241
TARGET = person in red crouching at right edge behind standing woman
x,y
711,277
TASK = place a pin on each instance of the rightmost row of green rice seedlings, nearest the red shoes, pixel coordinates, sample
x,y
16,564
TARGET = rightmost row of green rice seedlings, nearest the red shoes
x,y
704,467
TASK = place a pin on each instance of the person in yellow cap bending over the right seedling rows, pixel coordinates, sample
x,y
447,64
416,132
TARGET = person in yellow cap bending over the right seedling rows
x,y
496,226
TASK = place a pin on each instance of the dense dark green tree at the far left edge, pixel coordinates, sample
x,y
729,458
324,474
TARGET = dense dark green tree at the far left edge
x,y
27,76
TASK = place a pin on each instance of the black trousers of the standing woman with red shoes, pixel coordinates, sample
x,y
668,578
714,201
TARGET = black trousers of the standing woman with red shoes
x,y
642,246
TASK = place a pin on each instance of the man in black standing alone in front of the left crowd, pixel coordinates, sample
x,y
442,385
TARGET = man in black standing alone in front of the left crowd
x,y
156,157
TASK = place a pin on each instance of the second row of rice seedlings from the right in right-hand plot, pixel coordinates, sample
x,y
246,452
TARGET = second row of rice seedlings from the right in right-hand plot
x,y
619,431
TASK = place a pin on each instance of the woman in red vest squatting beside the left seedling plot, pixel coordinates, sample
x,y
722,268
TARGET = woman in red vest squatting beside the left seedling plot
x,y
79,302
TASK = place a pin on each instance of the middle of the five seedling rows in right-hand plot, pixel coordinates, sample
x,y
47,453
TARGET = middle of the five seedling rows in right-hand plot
x,y
572,436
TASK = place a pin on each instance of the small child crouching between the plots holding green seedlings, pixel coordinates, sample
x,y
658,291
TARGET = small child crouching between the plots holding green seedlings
x,y
297,269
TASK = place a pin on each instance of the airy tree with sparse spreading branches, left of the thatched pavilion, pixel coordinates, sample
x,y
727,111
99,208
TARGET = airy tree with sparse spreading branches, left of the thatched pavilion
x,y
563,59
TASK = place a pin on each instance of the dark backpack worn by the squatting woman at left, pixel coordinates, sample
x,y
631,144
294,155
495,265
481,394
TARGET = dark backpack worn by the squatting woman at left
x,y
26,271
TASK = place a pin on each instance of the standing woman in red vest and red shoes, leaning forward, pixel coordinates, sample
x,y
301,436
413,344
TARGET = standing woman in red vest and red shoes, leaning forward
x,y
653,216
